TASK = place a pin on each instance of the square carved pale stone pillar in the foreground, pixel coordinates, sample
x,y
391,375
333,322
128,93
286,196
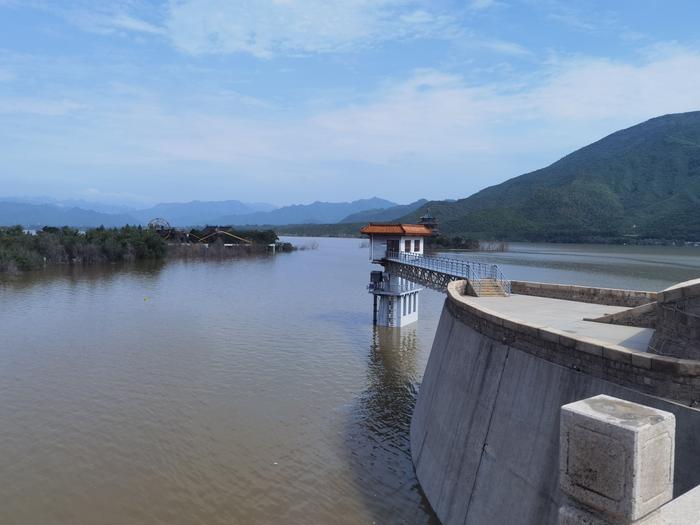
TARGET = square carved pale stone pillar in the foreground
x,y
615,461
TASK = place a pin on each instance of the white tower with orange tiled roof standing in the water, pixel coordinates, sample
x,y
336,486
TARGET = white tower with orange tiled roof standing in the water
x,y
395,298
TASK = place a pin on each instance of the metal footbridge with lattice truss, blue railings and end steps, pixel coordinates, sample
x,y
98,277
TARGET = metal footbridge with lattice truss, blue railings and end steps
x,y
437,272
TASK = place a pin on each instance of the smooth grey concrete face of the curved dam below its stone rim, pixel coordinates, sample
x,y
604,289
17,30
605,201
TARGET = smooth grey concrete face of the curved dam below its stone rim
x,y
485,431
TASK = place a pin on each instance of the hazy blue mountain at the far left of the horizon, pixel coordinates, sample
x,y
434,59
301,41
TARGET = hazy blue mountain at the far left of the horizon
x,y
36,215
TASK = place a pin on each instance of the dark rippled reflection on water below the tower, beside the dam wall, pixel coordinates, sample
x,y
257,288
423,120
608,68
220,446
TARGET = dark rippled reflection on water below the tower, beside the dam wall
x,y
377,432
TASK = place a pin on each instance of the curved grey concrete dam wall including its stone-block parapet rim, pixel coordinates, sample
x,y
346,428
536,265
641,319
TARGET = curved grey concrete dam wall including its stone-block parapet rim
x,y
485,431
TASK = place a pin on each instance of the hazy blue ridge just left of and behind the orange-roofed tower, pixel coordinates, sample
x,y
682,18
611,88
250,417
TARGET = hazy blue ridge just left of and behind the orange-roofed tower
x,y
314,213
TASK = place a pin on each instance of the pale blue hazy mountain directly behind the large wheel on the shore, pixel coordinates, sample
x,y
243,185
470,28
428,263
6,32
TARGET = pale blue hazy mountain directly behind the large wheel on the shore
x,y
199,212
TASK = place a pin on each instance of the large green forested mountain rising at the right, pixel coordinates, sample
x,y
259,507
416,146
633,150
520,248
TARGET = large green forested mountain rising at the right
x,y
644,181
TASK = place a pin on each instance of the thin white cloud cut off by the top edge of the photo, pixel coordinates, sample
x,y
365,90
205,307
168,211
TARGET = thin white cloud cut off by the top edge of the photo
x,y
266,27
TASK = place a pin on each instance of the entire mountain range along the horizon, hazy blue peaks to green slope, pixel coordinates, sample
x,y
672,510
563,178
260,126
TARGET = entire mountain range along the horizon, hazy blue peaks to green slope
x,y
643,181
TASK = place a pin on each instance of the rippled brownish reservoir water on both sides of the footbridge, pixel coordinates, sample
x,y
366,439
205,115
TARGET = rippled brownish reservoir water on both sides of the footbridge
x,y
241,391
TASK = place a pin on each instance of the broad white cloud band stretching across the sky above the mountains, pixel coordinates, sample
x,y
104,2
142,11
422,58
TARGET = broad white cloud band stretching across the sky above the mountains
x,y
431,123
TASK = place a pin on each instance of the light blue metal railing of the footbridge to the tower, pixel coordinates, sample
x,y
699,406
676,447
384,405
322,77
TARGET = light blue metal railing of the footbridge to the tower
x,y
475,272
